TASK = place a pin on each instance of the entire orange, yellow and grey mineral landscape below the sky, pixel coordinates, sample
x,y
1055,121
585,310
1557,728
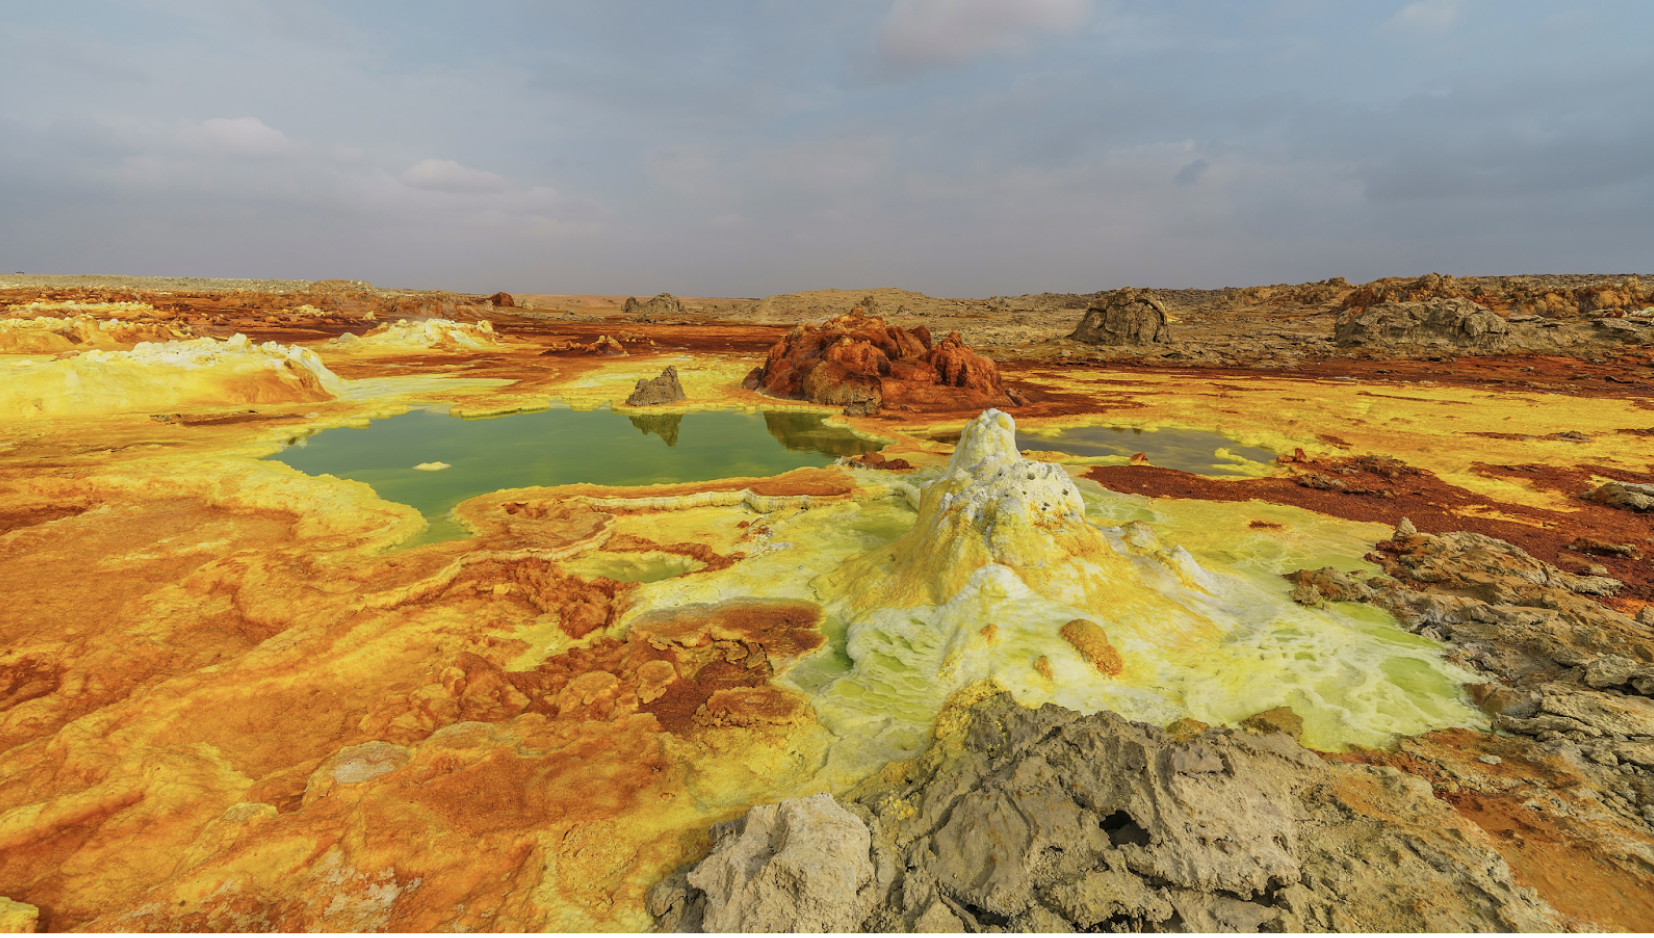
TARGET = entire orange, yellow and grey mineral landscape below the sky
x,y
1382,663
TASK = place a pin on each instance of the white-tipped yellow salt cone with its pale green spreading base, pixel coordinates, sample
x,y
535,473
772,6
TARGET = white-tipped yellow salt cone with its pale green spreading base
x,y
1005,578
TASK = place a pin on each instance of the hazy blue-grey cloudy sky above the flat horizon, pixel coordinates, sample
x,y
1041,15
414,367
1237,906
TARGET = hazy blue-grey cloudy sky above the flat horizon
x,y
960,148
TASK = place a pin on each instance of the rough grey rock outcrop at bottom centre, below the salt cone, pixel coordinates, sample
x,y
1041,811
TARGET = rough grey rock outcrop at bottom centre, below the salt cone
x,y
1049,821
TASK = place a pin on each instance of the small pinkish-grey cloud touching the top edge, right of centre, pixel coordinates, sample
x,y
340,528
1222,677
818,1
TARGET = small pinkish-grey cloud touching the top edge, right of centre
x,y
950,32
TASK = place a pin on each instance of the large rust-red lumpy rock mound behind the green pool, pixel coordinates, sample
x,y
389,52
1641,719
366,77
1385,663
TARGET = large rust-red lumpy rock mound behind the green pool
x,y
866,365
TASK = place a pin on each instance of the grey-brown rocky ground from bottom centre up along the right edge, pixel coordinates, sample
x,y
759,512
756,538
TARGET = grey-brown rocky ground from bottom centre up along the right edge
x,y
1049,821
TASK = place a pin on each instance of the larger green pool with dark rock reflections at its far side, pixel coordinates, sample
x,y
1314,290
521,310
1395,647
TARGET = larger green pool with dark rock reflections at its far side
x,y
562,447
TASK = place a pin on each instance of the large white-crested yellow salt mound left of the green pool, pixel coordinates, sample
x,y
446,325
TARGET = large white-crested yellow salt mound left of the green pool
x,y
158,376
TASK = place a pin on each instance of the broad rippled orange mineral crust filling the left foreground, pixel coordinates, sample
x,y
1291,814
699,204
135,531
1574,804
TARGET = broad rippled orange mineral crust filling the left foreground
x,y
229,730
